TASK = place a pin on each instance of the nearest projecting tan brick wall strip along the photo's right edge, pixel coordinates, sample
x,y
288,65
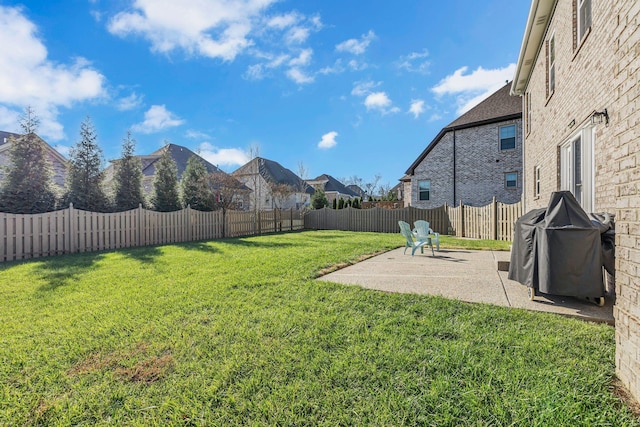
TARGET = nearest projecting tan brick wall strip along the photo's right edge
x,y
625,154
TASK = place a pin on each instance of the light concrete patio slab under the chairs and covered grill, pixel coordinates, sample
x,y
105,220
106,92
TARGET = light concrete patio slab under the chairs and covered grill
x,y
466,275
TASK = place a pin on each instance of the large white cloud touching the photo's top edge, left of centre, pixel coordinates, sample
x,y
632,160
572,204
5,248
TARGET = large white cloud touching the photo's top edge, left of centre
x,y
215,29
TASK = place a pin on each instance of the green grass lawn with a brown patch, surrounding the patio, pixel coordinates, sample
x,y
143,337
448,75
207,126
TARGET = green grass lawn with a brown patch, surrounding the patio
x,y
237,332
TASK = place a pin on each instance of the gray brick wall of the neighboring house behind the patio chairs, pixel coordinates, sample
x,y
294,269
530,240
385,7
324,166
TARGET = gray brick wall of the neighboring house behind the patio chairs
x,y
479,171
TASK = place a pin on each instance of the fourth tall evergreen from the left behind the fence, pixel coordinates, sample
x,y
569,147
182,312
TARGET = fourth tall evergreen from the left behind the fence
x,y
165,184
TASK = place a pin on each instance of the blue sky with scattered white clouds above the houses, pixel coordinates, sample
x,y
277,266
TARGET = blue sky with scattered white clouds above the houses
x,y
348,88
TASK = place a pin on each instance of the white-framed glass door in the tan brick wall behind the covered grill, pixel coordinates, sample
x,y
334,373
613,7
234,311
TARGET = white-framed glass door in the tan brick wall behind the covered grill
x,y
576,167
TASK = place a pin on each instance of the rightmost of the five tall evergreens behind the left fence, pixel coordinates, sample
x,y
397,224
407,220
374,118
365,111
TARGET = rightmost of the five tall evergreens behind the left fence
x,y
196,191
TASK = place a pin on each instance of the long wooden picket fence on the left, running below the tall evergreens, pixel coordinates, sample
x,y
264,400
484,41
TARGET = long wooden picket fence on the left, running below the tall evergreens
x,y
72,230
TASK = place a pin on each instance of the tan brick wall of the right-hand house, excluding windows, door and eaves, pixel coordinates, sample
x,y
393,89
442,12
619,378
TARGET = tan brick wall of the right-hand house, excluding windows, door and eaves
x,y
601,72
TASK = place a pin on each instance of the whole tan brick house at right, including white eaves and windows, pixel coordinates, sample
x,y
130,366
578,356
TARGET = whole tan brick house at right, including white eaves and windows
x,y
577,75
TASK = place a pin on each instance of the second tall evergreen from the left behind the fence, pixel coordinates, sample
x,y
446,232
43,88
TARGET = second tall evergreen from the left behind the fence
x,y
84,179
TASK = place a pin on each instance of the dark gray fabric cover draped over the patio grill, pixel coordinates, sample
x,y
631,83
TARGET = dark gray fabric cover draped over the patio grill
x,y
558,250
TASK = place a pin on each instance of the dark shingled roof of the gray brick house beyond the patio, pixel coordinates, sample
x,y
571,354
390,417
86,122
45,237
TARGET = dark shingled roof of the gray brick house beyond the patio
x,y
498,107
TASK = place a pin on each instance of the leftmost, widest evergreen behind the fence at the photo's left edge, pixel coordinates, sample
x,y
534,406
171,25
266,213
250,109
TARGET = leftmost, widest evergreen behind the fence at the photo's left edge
x,y
27,187
